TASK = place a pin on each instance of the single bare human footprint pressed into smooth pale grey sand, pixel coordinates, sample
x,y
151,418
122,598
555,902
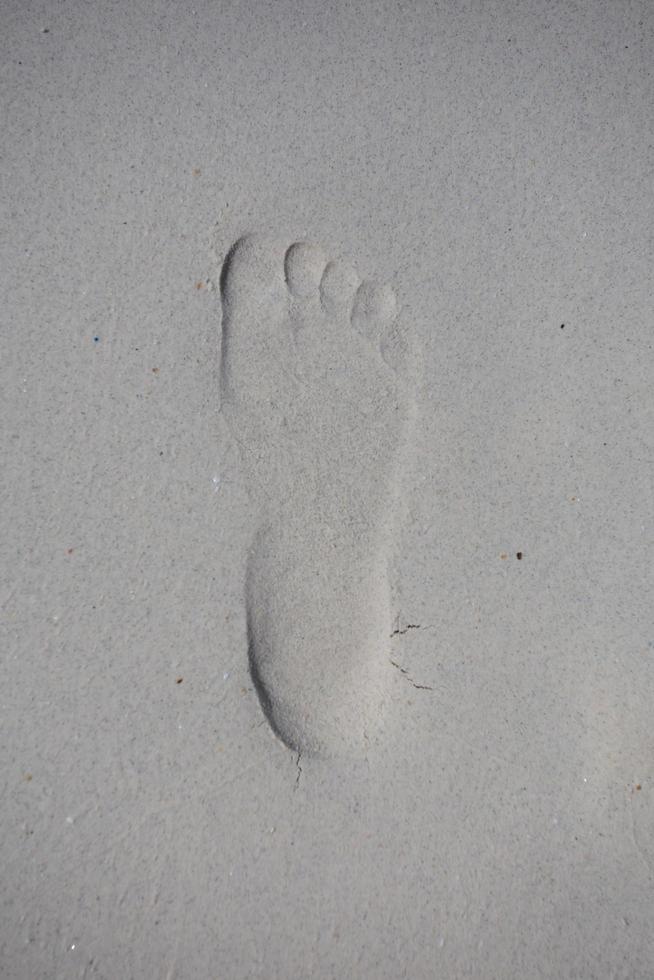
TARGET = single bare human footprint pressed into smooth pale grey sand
x,y
315,376
